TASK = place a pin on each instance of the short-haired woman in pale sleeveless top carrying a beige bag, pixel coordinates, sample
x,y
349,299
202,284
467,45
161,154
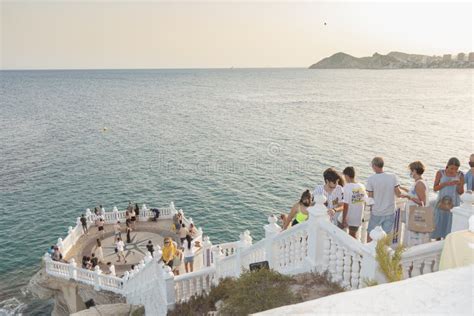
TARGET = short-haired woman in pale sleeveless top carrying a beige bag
x,y
418,195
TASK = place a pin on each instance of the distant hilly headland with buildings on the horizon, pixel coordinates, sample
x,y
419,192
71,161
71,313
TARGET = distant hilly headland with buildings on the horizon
x,y
395,60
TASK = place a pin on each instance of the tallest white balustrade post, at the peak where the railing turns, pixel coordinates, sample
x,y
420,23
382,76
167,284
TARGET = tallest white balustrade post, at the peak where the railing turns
x,y
316,236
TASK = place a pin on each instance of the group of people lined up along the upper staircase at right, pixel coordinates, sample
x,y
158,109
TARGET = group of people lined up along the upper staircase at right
x,y
346,198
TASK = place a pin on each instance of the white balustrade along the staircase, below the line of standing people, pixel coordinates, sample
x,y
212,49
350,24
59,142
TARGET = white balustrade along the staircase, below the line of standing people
x,y
316,245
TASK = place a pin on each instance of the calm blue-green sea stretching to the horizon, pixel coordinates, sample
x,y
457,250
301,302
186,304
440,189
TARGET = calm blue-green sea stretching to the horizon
x,y
228,146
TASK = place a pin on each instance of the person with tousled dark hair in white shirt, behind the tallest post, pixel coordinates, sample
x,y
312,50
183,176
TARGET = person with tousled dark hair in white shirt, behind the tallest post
x,y
332,190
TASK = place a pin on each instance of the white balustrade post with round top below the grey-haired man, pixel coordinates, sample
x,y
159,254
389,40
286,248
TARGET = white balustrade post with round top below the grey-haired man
x,y
369,266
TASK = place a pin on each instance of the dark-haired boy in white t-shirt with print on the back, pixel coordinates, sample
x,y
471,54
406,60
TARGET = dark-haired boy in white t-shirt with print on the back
x,y
355,197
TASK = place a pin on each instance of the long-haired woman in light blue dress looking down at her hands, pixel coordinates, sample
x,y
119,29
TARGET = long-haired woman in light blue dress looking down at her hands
x,y
449,183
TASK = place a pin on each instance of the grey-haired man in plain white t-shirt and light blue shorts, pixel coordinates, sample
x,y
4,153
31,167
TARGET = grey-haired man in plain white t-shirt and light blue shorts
x,y
383,187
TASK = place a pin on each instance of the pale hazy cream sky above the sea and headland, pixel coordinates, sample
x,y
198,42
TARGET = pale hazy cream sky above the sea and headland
x,y
193,34
